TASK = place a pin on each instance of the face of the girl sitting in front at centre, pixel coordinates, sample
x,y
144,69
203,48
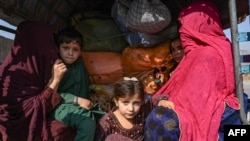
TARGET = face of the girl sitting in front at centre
x,y
129,107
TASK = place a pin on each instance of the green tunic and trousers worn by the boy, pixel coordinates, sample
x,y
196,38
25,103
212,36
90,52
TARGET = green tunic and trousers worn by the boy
x,y
75,83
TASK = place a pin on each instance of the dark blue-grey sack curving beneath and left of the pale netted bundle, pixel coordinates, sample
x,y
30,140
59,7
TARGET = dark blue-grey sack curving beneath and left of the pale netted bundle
x,y
140,39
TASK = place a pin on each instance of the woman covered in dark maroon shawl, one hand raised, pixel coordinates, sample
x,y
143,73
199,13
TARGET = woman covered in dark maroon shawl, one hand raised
x,y
26,96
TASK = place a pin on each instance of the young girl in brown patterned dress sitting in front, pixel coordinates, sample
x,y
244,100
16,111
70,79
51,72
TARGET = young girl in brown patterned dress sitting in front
x,y
125,121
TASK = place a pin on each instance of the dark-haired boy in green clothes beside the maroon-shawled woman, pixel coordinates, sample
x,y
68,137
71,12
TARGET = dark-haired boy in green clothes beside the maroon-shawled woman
x,y
76,110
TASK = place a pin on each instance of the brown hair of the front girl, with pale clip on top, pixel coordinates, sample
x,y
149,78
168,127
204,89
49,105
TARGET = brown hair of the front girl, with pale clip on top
x,y
128,87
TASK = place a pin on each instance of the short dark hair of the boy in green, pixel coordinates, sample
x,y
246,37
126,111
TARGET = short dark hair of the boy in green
x,y
68,35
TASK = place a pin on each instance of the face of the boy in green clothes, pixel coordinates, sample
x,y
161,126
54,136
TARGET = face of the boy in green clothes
x,y
70,52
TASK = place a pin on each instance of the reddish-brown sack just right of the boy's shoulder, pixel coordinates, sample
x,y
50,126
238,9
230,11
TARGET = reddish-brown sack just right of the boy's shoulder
x,y
104,68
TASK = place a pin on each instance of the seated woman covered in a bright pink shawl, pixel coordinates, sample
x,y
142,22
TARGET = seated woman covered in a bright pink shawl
x,y
202,86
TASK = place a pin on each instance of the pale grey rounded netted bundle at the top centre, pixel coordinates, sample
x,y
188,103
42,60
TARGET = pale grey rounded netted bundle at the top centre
x,y
145,16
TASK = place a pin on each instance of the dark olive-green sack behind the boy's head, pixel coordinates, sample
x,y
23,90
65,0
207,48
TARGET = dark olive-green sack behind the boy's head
x,y
101,35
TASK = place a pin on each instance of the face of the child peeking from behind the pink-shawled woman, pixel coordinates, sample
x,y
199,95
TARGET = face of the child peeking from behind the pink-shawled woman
x,y
177,50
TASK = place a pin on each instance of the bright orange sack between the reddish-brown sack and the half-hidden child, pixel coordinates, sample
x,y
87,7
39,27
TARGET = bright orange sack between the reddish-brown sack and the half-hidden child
x,y
142,63
